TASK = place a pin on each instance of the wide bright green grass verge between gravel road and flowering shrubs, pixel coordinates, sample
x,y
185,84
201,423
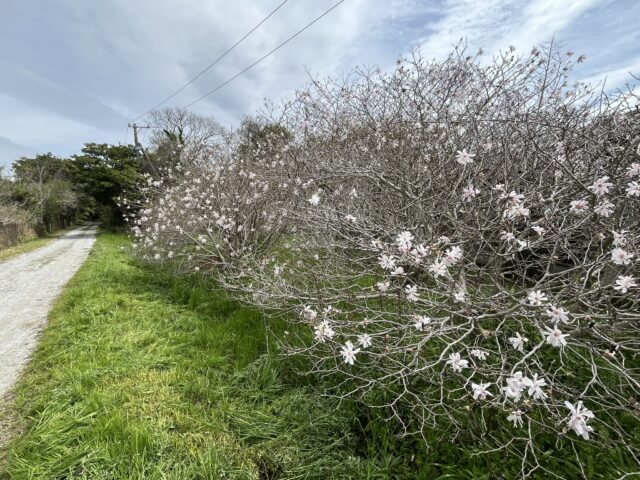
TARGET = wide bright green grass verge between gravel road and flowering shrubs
x,y
139,375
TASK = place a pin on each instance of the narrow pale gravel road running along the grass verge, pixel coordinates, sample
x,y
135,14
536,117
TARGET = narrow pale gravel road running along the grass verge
x,y
29,284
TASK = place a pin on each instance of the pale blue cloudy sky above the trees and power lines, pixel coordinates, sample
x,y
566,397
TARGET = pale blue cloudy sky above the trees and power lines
x,y
77,71
